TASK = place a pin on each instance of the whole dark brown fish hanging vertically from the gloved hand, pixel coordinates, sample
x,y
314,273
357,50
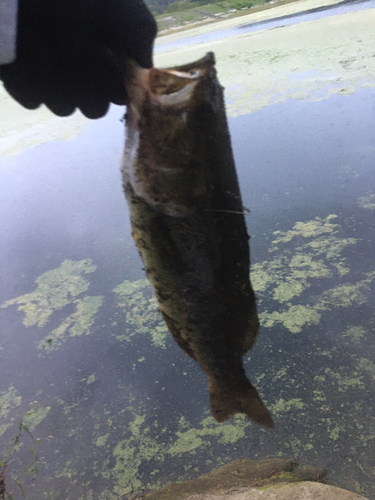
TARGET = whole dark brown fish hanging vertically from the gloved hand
x,y
188,224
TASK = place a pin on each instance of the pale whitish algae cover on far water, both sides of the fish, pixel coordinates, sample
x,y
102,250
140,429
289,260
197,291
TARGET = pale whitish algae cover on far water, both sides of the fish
x,y
311,60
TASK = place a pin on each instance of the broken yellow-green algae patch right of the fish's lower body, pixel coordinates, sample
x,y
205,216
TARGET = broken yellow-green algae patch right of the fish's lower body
x,y
309,253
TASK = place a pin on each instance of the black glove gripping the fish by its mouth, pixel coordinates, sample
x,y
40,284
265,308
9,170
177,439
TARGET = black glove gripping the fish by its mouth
x,y
68,50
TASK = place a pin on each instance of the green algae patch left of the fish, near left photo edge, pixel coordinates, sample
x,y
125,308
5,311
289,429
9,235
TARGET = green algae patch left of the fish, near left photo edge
x,y
57,289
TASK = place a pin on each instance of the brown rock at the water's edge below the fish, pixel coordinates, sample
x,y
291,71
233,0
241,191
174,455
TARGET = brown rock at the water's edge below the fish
x,y
276,479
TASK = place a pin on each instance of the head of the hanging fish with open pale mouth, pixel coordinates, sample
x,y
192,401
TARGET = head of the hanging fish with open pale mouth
x,y
164,155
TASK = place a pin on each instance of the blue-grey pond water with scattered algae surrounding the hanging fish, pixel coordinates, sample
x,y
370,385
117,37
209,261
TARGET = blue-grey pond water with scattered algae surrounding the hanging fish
x,y
97,400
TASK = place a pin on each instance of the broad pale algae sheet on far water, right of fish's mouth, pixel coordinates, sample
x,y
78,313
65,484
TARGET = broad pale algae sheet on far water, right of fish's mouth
x,y
263,68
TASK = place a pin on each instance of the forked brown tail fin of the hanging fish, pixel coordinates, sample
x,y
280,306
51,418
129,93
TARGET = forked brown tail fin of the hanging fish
x,y
226,402
